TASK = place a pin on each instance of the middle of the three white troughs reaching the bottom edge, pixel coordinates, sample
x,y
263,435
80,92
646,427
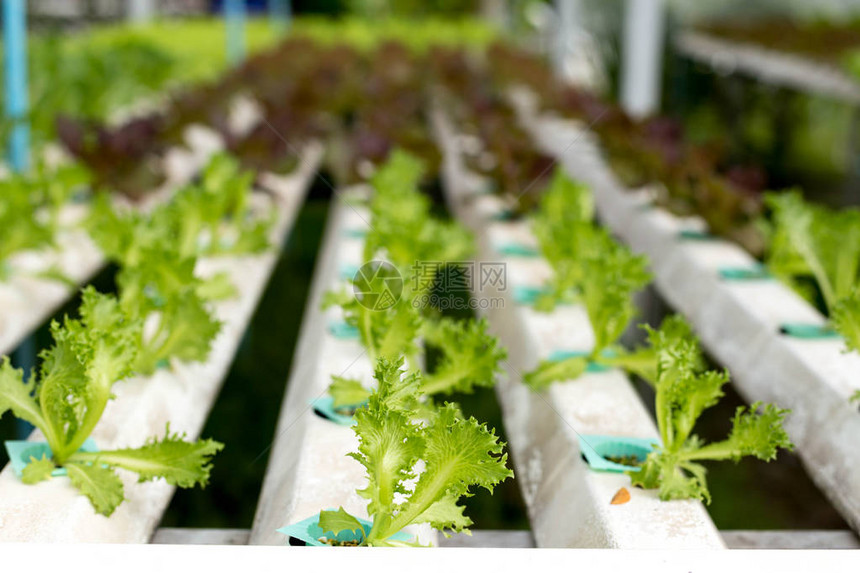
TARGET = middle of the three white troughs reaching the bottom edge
x,y
309,469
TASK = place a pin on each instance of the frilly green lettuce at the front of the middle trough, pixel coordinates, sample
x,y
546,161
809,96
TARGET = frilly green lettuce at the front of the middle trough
x,y
457,454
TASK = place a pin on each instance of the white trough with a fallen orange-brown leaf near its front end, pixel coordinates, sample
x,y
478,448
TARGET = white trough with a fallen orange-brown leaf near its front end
x,y
568,503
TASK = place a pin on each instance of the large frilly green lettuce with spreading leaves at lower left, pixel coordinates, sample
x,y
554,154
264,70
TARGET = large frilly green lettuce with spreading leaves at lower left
x,y
68,397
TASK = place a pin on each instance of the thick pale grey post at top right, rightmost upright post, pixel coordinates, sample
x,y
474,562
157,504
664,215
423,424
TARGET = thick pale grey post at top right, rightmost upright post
x,y
642,56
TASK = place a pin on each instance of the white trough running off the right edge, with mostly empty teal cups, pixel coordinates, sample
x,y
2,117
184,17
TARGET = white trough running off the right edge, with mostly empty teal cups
x,y
738,322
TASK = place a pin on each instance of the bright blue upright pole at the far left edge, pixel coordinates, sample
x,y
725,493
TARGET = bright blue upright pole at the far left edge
x,y
15,77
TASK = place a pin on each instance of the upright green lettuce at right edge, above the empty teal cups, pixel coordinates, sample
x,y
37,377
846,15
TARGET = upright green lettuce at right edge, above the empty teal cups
x,y
814,241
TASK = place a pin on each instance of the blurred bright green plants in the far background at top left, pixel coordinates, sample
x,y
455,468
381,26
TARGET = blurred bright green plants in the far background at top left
x,y
93,74
